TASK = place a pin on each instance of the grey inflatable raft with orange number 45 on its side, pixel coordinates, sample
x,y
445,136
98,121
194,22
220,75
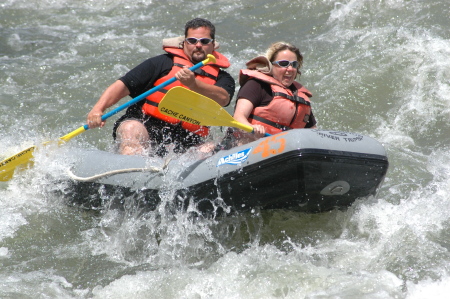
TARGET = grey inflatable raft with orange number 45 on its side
x,y
305,170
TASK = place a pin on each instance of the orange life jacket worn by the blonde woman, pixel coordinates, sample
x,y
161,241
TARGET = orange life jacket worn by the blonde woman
x,y
286,111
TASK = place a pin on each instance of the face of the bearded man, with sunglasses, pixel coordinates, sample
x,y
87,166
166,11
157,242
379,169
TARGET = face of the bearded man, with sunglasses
x,y
197,52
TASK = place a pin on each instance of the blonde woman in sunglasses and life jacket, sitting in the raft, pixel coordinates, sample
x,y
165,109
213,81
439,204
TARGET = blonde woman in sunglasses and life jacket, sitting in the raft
x,y
270,100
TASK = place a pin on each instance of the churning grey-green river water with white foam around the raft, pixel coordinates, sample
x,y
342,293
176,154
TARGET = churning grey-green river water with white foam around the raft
x,y
378,68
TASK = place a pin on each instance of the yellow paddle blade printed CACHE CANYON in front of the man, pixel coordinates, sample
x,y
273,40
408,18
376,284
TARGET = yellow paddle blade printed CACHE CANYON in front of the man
x,y
189,106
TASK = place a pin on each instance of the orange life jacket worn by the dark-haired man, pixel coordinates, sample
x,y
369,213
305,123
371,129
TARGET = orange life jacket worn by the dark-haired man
x,y
207,74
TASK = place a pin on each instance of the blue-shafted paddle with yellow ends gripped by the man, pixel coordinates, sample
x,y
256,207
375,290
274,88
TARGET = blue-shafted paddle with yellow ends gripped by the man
x,y
20,160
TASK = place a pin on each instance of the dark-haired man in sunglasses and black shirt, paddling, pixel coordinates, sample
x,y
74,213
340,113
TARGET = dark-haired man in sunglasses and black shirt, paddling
x,y
143,127
